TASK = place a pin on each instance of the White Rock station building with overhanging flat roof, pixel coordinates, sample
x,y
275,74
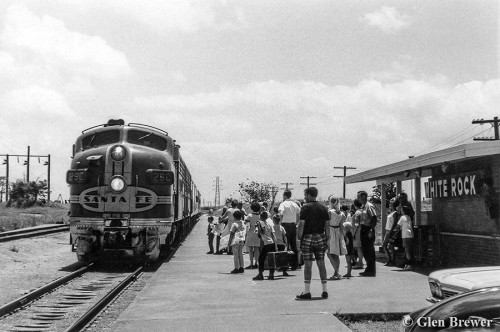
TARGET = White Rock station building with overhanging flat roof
x,y
463,183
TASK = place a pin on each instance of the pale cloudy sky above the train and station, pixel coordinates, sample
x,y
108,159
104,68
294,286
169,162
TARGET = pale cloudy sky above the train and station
x,y
266,91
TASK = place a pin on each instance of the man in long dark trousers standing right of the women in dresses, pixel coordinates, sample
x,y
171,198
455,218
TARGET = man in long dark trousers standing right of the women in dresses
x,y
368,223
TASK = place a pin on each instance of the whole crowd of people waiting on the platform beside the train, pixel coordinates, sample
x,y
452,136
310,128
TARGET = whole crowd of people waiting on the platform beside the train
x,y
311,230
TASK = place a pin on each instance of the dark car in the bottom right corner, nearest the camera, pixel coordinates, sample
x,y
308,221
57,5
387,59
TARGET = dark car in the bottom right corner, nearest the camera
x,y
477,310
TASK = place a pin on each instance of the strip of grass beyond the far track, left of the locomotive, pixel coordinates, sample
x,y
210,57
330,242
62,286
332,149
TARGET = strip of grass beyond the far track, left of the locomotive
x,y
15,218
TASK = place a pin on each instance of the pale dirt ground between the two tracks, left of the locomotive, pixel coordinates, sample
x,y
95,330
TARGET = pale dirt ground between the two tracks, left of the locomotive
x,y
27,264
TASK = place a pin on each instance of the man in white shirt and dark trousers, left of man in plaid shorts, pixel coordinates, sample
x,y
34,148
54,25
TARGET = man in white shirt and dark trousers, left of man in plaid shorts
x,y
289,212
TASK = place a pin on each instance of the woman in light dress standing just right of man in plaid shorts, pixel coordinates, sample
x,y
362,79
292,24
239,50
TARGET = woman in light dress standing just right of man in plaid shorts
x,y
336,243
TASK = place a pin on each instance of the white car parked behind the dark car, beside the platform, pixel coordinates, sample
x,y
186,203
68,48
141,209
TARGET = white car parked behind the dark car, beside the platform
x,y
450,282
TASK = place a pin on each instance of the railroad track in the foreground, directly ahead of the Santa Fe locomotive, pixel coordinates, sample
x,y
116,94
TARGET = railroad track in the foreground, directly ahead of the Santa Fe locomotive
x,y
66,304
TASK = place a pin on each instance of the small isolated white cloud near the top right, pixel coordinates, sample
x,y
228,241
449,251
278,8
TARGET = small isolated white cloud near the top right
x,y
387,19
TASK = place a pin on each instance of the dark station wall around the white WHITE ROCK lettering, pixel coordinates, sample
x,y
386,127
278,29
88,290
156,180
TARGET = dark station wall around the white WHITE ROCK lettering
x,y
463,221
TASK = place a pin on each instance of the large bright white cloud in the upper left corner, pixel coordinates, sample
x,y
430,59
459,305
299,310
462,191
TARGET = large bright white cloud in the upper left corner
x,y
46,41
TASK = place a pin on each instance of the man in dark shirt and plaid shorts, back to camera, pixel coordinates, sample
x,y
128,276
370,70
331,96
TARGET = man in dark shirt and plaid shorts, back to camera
x,y
312,232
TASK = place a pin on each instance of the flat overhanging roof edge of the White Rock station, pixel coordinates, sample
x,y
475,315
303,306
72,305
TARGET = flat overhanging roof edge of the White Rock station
x,y
421,165
